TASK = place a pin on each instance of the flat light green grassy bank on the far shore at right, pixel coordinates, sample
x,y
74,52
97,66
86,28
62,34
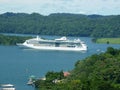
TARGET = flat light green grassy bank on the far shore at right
x,y
108,40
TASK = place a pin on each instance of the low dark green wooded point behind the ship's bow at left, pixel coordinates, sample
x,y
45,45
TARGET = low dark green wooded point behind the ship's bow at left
x,y
12,40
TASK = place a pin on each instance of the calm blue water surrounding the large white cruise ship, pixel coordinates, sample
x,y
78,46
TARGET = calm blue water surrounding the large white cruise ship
x,y
17,64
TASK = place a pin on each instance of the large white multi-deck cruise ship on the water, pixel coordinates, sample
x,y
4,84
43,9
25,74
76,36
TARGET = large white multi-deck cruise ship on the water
x,y
57,44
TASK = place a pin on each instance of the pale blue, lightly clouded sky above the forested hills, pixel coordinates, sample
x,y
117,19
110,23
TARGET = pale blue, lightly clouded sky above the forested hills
x,y
46,7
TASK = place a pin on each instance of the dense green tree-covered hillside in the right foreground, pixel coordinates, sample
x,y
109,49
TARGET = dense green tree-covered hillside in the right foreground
x,y
97,72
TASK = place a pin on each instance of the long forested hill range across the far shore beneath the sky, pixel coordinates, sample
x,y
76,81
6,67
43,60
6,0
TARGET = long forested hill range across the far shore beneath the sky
x,y
61,24
